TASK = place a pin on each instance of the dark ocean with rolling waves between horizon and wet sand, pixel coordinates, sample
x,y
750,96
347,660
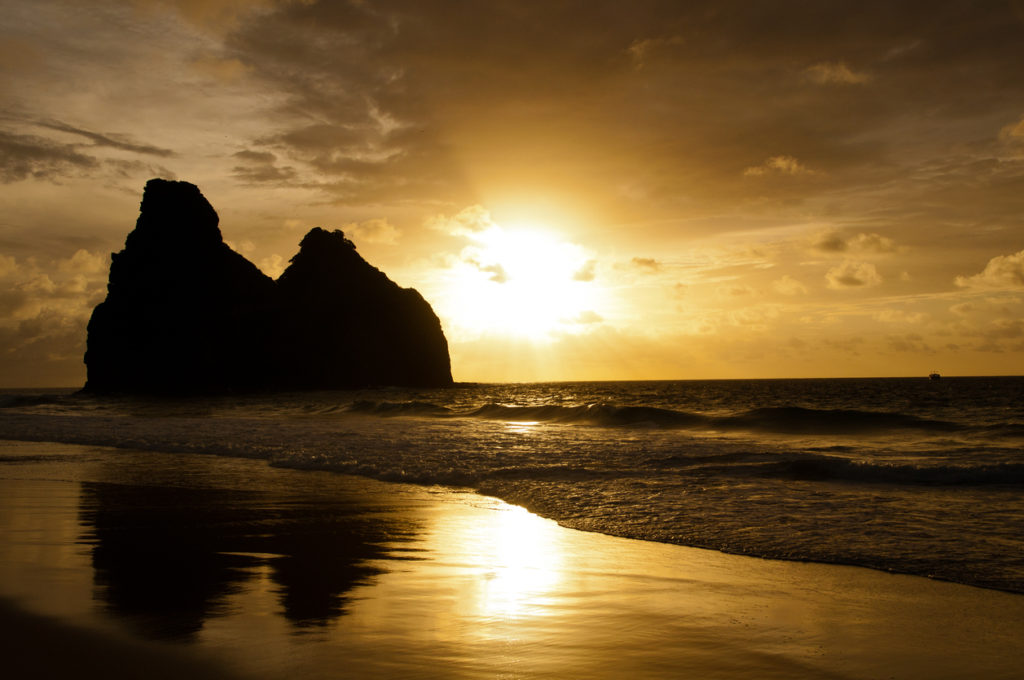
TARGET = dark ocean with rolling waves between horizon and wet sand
x,y
902,475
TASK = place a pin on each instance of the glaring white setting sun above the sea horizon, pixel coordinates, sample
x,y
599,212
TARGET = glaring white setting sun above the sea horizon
x,y
521,282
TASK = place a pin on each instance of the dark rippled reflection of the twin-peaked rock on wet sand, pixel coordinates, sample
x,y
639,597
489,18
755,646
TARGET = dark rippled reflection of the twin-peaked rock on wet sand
x,y
168,559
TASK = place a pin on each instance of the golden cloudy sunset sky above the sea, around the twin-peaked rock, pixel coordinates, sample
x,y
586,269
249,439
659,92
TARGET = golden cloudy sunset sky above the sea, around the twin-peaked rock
x,y
583,190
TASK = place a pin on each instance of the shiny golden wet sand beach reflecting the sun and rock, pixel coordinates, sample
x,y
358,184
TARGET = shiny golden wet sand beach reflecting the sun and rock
x,y
120,564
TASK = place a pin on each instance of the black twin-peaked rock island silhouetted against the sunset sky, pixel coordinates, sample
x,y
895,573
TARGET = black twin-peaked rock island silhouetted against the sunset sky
x,y
185,314
